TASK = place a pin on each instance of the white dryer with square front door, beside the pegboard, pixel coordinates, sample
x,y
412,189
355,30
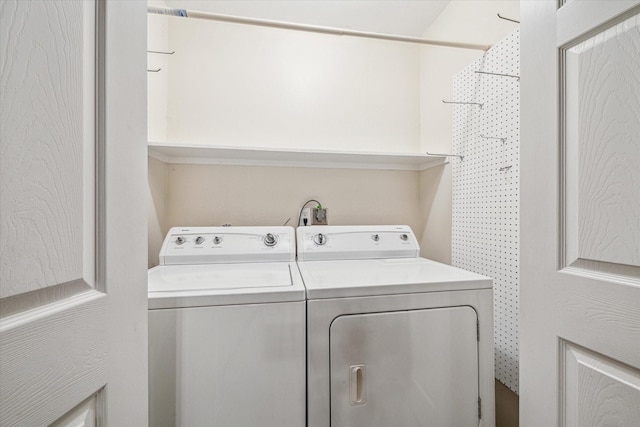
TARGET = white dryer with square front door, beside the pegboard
x,y
393,339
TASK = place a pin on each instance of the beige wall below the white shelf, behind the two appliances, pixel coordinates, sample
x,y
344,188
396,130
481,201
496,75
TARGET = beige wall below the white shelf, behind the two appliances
x,y
262,195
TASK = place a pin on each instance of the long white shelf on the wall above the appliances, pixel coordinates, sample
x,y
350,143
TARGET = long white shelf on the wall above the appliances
x,y
203,154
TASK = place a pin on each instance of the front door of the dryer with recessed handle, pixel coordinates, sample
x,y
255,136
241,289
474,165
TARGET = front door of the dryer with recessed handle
x,y
406,368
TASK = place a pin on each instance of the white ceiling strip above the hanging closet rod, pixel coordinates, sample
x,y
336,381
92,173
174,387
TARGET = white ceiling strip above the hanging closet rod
x,y
400,17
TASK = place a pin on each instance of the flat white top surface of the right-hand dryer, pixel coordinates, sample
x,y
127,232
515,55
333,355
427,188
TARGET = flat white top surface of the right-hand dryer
x,y
354,278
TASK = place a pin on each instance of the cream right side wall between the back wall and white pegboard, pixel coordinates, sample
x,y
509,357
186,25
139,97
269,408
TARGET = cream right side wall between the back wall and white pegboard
x,y
463,21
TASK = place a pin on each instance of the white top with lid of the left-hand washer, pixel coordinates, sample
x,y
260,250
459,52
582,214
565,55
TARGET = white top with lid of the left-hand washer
x,y
173,286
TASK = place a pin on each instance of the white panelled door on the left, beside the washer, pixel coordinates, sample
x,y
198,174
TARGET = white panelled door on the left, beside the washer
x,y
72,225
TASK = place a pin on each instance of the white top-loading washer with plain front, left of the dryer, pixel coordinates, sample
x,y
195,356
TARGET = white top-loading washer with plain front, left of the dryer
x,y
227,329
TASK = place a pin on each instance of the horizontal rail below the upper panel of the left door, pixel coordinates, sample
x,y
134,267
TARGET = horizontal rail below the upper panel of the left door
x,y
72,361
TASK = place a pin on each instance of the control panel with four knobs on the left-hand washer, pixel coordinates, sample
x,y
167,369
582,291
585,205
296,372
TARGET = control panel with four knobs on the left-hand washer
x,y
210,245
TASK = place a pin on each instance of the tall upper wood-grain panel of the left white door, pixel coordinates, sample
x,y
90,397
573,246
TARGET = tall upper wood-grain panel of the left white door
x,y
47,203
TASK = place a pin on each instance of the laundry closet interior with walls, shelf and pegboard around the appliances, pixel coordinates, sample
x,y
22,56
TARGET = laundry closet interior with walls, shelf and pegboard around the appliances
x,y
246,123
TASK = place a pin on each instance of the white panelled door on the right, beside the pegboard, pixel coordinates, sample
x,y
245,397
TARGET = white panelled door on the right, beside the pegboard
x,y
580,224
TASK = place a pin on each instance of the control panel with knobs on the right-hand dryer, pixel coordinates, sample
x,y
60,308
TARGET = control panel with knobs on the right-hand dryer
x,y
329,242
